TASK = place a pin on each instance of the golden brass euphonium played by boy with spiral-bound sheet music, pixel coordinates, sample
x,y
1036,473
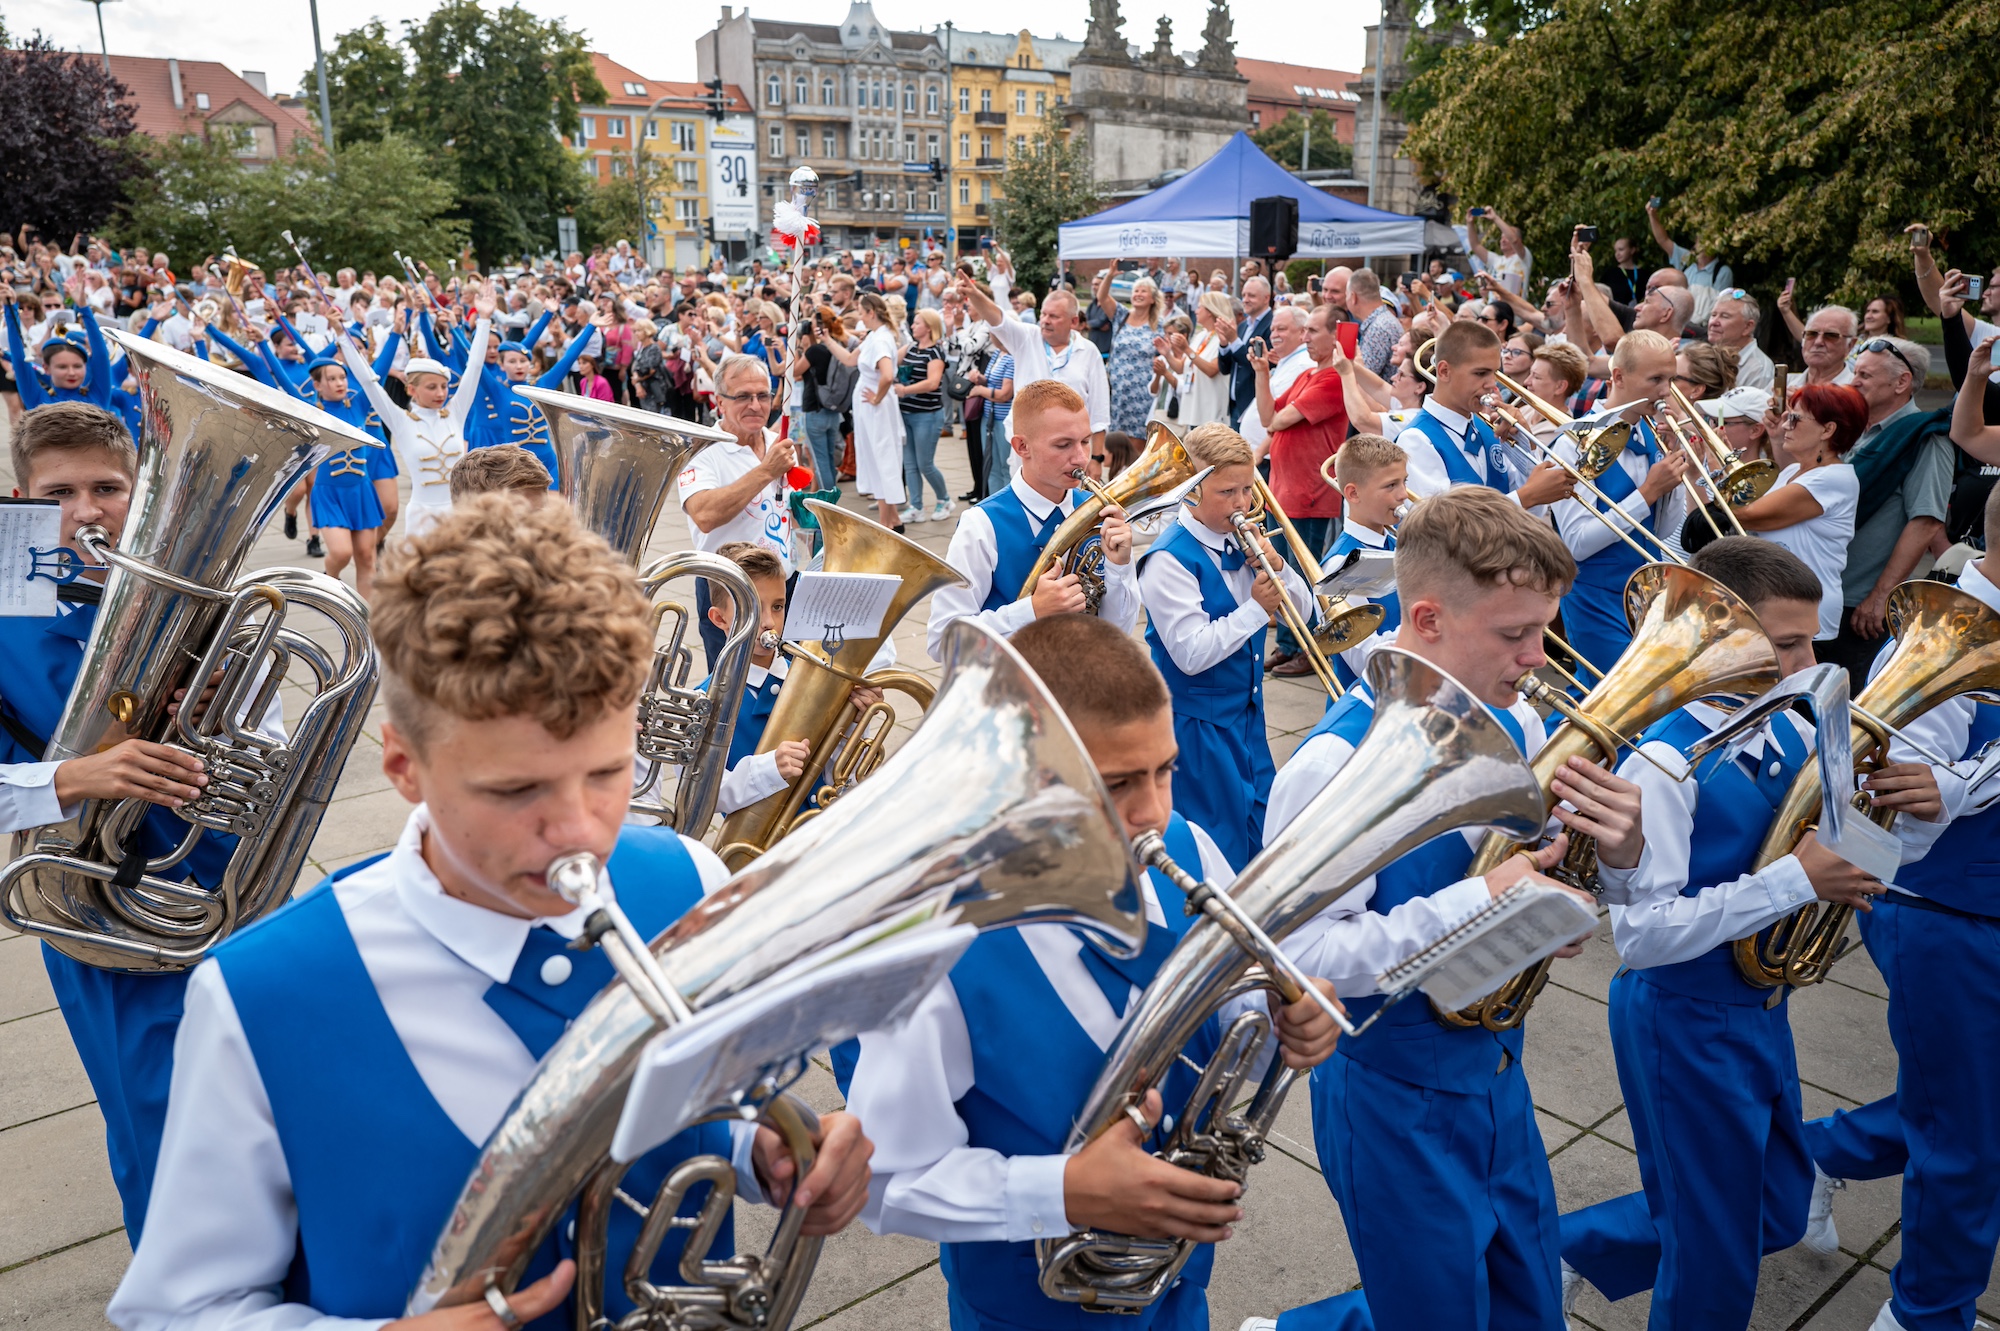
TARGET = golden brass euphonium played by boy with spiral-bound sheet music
x,y
1691,639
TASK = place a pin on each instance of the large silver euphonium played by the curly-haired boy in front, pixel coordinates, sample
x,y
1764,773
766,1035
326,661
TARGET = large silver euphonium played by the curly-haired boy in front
x,y
993,814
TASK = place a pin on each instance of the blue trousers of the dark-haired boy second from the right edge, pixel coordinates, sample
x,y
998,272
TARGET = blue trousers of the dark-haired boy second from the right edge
x,y
1713,1098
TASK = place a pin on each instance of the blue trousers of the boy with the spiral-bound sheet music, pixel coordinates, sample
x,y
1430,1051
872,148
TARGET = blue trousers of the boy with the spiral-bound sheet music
x,y
1447,1200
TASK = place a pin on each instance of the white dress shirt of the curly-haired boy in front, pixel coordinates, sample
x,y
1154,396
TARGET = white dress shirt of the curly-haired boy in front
x,y
223,1224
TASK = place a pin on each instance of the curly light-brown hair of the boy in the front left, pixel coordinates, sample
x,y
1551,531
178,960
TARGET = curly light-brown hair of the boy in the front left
x,y
509,609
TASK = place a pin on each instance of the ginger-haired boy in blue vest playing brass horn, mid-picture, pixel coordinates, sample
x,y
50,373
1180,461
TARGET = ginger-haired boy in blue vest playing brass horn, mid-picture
x,y
1001,539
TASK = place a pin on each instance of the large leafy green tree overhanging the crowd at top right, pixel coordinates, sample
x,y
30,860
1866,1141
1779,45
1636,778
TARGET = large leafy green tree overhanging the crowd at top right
x,y
1791,139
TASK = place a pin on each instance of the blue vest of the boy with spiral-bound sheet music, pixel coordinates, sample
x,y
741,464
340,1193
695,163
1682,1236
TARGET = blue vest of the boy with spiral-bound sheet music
x,y
1409,1042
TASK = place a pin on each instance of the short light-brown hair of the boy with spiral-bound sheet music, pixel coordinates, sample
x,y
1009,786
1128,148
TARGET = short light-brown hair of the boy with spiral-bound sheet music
x,y
1471,541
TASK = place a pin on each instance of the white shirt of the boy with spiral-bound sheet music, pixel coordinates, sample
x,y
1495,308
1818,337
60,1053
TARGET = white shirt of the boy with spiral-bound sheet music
x,y
1347,942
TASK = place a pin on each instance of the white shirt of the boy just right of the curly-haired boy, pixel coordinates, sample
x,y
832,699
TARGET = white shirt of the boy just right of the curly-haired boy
x,y
929,1182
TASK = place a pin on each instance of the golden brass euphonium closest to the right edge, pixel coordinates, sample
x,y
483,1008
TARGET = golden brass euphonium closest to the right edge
x,y
1947,645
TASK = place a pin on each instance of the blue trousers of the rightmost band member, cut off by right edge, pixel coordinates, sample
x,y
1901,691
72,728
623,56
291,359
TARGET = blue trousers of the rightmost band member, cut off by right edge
x,y
1945,1134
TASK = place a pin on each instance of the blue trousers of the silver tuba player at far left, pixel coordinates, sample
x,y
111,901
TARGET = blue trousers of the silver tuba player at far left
x,y
125,1028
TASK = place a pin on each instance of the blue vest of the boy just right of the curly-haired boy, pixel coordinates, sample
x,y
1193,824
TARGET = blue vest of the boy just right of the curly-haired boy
x,y
1031,1070
